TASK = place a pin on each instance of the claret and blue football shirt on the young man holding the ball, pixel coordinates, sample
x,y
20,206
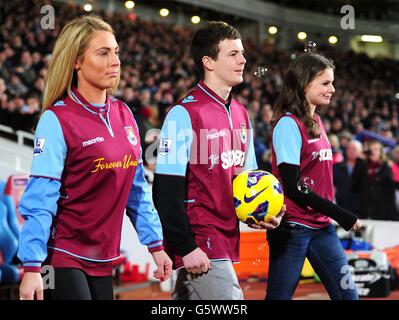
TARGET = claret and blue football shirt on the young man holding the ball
x,y
208,141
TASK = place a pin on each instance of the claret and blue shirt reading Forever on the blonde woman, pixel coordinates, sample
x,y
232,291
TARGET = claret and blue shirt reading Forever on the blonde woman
x,y
86,170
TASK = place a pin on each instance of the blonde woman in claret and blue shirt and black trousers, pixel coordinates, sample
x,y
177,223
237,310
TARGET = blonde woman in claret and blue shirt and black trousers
x,y
86,170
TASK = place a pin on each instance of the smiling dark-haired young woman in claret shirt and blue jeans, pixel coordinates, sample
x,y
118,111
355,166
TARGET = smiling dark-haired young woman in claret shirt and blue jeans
x,y
302,160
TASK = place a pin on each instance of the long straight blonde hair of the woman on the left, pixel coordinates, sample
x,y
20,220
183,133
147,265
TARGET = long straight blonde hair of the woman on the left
x,y
71,44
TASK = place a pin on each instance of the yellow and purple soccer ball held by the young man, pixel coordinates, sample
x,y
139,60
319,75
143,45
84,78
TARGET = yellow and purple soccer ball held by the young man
x,y
257,196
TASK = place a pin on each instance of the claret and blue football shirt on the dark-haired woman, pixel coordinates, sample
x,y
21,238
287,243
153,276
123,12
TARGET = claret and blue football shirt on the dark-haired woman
x,y
293,145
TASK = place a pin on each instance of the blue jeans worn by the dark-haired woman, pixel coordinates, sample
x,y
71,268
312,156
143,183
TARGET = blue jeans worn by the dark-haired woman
x,y
289,245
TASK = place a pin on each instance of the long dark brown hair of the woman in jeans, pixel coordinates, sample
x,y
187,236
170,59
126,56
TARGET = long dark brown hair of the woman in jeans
x,y
292,98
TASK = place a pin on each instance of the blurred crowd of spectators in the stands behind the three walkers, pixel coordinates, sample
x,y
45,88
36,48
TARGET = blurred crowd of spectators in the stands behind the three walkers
x,y
157,70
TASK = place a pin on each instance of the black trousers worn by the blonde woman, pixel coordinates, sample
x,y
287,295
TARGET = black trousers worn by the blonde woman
x,y
75,284
